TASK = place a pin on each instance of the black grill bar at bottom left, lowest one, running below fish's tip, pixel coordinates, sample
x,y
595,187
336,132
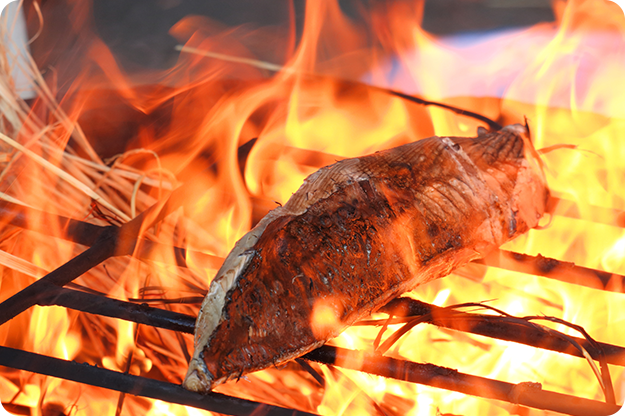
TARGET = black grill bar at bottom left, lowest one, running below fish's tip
x,y
135,385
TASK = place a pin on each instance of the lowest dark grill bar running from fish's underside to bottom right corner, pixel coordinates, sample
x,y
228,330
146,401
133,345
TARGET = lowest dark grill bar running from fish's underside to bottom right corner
x,y
525,394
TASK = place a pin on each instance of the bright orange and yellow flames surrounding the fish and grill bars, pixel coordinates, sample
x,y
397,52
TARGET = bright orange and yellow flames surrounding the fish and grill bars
x,y
312,109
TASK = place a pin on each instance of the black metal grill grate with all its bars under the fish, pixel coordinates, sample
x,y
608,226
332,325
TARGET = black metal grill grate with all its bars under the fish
x,y
110,241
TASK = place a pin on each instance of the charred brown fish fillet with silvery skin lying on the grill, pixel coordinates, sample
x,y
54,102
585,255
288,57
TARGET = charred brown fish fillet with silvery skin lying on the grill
x,y
357,234
